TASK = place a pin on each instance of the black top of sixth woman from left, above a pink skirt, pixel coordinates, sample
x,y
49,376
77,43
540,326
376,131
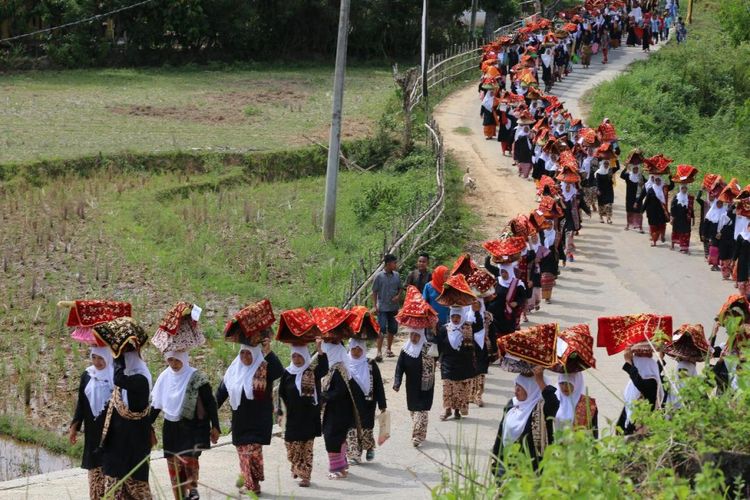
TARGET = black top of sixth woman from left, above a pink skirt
x,y
338,415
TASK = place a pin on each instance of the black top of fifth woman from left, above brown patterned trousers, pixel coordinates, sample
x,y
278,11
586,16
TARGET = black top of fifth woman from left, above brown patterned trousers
x,y
302,413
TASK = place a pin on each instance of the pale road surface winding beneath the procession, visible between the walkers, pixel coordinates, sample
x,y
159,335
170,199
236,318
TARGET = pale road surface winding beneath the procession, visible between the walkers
x,y
615,273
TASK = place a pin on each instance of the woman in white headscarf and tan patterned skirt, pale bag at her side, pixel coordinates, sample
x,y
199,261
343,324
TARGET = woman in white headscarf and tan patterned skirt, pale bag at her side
x,y
368,392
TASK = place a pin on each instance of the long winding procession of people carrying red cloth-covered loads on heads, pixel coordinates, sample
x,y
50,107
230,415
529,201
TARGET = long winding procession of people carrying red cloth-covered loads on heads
x,y
457,319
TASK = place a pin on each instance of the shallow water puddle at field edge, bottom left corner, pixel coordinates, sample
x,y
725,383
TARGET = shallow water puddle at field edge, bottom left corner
x,y
20,459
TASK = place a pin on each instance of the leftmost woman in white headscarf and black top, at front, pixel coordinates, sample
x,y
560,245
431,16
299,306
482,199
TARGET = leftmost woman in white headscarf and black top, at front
x,y
94,392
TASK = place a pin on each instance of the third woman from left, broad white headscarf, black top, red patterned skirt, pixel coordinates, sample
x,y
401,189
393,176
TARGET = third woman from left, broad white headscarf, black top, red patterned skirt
x,y
191,420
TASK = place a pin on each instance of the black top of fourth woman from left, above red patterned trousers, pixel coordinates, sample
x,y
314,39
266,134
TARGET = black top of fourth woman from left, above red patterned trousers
x,y
252,421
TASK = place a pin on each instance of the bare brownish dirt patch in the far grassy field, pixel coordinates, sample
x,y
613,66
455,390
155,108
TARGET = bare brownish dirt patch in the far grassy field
x,y
221,107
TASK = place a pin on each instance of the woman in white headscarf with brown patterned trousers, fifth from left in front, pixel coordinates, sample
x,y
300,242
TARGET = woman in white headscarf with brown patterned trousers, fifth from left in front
x,y
299,389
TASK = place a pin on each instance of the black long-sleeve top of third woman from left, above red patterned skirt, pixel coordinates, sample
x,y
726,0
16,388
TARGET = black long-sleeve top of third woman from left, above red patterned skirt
x,y
187,437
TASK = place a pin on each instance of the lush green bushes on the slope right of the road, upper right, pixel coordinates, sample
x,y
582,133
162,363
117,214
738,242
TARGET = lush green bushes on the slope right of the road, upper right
x,y
689,101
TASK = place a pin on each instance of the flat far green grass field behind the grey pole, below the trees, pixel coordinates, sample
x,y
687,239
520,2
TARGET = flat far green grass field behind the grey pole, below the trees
x,y
66,114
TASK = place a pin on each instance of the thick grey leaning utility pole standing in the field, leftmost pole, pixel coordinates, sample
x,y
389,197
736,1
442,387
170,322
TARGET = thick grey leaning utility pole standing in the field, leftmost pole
x,y
334,143
